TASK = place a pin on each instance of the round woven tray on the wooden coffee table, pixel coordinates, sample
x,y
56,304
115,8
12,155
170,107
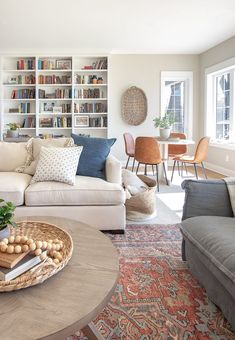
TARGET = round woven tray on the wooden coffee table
x,y
38,274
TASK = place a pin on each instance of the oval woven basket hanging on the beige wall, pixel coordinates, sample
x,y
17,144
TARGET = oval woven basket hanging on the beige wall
x,y
134,106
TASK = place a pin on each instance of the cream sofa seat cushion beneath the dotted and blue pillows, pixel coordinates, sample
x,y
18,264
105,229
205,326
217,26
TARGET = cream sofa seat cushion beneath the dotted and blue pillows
x,y
86,191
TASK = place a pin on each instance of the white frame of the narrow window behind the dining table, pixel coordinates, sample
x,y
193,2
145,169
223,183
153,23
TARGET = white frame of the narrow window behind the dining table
x,y
186,76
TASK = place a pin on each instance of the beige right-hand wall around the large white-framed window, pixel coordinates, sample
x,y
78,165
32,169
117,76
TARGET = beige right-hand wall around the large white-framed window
x,y
220,159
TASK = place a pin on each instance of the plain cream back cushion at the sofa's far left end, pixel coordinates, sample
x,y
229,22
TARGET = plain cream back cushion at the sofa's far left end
x,y
13,154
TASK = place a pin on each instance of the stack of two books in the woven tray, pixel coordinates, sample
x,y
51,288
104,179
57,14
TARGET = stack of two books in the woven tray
x,y
13,265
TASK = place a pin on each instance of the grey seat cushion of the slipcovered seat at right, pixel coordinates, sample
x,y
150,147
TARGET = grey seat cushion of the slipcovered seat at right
x,y
214,236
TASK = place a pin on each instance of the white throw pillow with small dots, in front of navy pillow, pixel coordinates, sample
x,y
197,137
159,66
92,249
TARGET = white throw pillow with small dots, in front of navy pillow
x,y
57,164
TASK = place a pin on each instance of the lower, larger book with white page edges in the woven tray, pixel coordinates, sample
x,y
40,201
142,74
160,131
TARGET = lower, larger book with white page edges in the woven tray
x,y
26,262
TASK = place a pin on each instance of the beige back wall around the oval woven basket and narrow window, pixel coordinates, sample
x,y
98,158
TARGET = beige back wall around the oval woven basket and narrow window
x,y
144,71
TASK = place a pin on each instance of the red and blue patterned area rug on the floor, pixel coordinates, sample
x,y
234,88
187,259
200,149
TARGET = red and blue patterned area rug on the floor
x,y
157,297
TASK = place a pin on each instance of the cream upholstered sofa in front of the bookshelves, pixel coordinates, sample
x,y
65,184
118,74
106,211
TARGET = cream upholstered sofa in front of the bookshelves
x,y
91,200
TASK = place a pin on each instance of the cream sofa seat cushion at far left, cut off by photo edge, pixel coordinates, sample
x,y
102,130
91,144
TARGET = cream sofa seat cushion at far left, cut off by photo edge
x,y
12,186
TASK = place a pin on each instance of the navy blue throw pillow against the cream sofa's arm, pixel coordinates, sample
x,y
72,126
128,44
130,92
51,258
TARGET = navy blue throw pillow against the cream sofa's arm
x,y
93,156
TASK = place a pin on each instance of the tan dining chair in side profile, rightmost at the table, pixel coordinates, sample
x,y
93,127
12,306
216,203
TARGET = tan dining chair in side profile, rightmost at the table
x,y
198,158
